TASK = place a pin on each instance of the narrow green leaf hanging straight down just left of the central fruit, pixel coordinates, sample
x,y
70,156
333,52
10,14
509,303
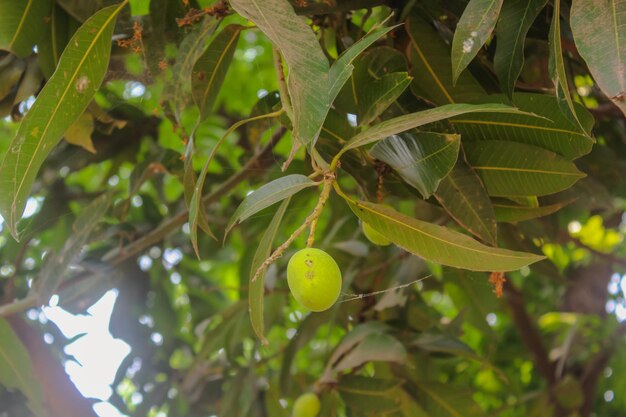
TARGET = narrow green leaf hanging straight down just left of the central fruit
x,y
257,288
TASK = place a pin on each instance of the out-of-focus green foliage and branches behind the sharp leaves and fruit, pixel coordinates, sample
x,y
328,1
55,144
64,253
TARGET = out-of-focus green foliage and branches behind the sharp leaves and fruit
x,y
552,345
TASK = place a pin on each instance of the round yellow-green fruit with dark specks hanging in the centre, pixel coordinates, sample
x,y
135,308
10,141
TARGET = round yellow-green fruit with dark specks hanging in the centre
x,y
314,279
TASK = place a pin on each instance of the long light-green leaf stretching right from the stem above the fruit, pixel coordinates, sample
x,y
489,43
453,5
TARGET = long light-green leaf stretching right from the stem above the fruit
x,y
439,244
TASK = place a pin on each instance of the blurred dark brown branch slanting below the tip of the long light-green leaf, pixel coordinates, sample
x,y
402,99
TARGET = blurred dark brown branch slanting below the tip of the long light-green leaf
x,y
529,333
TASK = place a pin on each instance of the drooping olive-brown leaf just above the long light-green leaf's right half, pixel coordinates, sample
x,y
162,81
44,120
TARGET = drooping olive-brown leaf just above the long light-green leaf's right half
x,y
464,197
